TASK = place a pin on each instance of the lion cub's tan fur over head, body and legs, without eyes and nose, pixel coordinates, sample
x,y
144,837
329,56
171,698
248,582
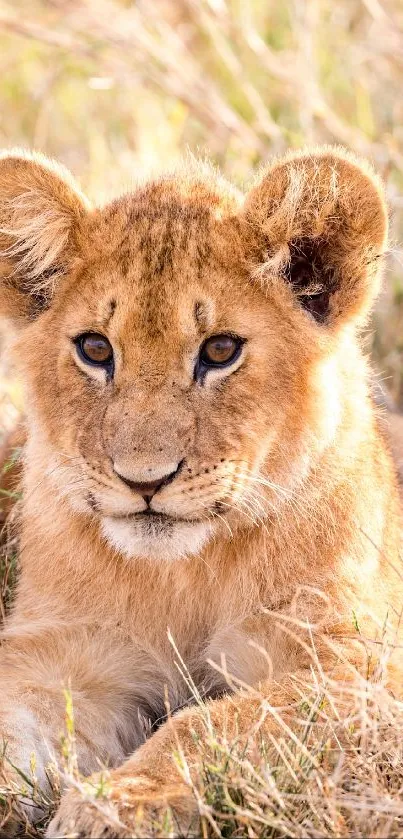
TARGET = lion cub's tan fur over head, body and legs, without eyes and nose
x,y
285,508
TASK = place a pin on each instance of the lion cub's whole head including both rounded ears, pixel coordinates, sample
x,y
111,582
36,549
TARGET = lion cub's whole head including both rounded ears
x,y
181,347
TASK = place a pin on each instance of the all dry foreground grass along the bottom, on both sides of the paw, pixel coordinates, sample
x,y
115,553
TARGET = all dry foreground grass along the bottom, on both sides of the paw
x,y
336,773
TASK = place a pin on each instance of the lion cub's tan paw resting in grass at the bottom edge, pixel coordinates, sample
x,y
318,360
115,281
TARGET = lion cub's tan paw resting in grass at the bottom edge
x,y
130,807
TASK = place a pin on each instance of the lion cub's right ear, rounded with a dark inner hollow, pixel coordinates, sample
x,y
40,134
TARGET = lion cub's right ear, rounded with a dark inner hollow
x,y
319,220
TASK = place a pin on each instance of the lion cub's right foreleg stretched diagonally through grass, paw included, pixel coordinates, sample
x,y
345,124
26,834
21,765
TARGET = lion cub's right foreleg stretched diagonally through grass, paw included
x,y
152,794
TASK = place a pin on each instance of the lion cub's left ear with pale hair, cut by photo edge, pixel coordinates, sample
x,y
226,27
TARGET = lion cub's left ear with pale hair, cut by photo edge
x,y
41,212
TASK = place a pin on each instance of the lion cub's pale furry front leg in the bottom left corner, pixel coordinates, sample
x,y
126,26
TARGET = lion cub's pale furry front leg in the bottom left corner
x,y
37,676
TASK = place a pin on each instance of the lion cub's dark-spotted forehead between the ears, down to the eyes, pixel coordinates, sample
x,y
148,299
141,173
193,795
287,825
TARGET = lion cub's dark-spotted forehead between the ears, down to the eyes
x,y
165,252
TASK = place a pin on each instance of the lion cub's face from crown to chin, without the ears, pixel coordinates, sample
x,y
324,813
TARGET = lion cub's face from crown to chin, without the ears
x,y
157,378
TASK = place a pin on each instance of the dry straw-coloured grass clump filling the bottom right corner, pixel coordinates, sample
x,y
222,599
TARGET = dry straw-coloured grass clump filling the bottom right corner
x,y
331,778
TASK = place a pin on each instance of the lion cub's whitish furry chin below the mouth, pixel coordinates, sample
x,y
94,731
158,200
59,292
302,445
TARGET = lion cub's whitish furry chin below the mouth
x,y
154,539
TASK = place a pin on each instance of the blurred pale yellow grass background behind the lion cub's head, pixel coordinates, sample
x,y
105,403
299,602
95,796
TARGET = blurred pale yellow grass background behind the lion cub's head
x,y
115,87
